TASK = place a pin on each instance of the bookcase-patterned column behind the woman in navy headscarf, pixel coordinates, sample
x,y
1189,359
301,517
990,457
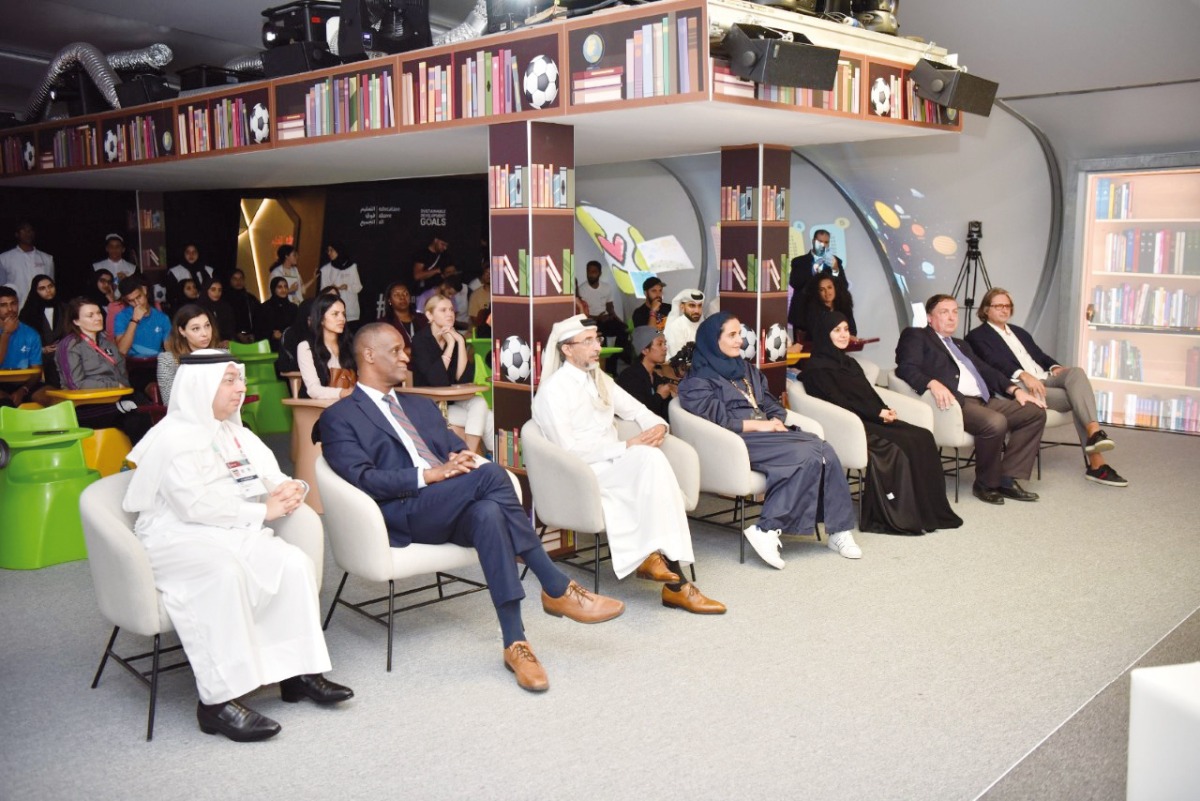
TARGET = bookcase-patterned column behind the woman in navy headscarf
x,y
755,206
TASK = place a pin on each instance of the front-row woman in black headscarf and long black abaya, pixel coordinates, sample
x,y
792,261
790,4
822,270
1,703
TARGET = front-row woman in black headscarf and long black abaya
x,y
905,489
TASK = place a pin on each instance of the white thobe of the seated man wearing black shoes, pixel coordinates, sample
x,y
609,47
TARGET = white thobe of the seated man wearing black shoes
x,y
244,604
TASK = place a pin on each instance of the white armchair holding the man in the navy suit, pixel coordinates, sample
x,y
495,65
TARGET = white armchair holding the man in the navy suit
x,y
358,538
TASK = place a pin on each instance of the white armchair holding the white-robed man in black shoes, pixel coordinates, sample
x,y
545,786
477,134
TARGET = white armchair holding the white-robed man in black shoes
x,y
124,582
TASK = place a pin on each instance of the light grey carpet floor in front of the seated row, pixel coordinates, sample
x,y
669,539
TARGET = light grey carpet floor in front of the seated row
x,y
937,667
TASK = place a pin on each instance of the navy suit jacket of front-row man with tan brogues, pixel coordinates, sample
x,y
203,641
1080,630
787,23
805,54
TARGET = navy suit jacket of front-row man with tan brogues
x,y
363,448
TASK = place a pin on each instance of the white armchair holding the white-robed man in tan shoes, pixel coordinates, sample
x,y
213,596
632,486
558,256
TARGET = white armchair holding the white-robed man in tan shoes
x,y
567,495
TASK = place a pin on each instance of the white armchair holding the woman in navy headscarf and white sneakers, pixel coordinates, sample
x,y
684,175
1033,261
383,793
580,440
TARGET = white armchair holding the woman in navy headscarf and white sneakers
x,y
725,463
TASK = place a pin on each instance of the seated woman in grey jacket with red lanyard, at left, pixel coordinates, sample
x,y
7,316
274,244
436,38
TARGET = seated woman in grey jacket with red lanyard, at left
x,y
89,360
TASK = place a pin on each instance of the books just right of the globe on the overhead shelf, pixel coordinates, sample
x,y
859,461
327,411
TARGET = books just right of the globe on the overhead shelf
x,y
661,61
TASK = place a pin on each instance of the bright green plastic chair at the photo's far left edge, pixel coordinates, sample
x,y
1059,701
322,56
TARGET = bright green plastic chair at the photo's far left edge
x,y
40,487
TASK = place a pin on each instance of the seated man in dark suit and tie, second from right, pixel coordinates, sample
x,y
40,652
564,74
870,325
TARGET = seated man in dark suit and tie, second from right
x,y
993,406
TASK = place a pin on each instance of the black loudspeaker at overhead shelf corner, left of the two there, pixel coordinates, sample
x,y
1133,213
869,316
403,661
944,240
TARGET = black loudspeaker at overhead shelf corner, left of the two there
x,y
761,55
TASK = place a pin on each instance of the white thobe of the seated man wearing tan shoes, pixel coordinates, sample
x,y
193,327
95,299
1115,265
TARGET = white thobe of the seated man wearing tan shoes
x,y
644,507
